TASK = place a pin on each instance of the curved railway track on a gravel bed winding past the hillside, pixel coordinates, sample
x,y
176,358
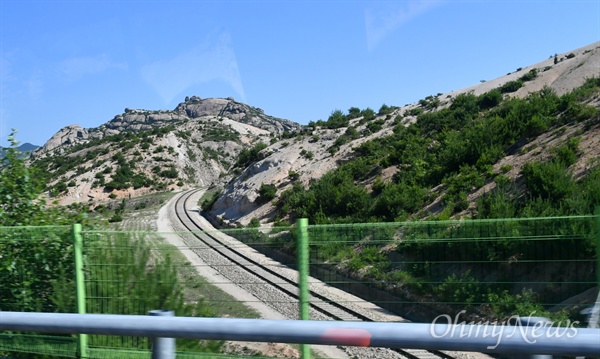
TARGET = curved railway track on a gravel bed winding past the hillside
x,y
279,282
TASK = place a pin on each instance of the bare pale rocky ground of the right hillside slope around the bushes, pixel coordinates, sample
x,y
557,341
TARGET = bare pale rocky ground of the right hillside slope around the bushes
x,y
306,158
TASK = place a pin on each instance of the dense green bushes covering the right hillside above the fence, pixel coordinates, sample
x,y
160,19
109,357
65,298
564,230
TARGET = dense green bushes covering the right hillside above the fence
x,y
456,148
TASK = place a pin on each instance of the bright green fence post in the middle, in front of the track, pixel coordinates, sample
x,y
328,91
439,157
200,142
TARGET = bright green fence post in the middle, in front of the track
x,y
302,225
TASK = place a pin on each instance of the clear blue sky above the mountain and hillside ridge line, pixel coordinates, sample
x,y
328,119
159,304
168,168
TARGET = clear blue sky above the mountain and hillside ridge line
x,y
83,62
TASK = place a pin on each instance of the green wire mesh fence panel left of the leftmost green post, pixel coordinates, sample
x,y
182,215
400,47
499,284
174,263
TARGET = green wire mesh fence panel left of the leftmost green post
x,y
36,271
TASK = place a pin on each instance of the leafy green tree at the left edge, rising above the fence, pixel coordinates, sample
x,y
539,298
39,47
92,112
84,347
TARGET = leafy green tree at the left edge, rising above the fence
x,y
28,268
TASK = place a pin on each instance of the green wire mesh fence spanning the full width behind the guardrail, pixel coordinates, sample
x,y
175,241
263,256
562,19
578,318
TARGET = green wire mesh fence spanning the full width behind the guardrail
x,y
490,269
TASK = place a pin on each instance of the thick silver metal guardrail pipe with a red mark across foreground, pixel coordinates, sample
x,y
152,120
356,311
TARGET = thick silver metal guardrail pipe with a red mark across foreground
x,y
465,337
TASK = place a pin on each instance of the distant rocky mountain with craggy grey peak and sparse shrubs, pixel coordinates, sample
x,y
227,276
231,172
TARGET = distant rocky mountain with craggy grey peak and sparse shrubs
x,y
141,151
